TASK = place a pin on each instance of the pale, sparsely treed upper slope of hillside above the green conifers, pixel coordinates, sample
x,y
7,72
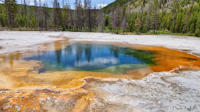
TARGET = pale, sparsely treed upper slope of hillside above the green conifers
x,y
138,5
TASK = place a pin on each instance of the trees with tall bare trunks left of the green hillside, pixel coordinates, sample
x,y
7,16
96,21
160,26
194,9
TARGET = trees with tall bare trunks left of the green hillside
x,y
40,17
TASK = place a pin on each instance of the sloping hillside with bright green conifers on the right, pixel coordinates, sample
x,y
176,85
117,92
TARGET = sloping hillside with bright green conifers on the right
x,y
157,16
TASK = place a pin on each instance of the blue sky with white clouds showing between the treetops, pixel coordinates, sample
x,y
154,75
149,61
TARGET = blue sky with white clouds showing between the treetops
x,y
97,3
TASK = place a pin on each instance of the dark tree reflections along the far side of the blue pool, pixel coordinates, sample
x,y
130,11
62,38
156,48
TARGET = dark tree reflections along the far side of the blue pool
x,y
84,52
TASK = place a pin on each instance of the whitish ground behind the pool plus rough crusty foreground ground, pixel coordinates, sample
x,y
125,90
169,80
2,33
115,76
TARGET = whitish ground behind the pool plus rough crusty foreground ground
x,y
159,92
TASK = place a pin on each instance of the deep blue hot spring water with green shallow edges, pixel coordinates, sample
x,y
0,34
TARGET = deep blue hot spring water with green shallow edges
x,y
94,57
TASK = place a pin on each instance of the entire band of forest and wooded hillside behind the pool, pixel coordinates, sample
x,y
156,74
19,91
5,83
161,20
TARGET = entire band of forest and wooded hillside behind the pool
x,y
152,16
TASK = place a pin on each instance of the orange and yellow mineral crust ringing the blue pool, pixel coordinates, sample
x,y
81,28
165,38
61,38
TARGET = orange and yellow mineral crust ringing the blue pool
x,y
23,89
